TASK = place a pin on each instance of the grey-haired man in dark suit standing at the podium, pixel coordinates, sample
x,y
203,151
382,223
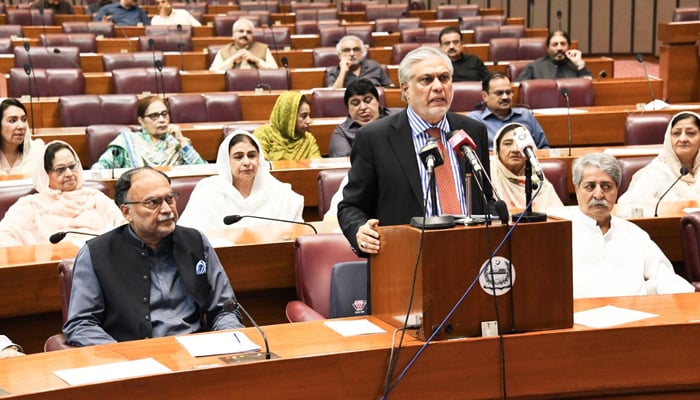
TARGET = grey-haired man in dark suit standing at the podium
x,y
387,183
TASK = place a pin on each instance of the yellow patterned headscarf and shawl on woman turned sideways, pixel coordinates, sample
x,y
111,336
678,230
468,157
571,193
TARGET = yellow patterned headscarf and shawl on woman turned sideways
x,y
278,138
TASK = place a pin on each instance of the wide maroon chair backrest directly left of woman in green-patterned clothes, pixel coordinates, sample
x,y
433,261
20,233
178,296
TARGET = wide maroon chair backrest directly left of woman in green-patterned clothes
x,y
98,109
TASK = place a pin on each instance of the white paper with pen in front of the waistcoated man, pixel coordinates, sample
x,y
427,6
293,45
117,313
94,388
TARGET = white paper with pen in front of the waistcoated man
x,y
217,343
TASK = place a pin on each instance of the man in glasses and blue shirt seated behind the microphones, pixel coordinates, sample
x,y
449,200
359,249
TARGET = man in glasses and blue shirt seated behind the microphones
x,y
497,96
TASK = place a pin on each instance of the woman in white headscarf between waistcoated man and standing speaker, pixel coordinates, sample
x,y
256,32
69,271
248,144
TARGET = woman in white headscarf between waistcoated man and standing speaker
x,y
243,186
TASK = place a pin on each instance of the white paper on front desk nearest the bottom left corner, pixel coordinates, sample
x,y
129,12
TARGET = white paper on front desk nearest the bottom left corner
x,y
111,371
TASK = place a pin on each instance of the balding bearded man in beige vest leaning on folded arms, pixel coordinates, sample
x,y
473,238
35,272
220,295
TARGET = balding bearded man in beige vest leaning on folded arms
x,y
243,52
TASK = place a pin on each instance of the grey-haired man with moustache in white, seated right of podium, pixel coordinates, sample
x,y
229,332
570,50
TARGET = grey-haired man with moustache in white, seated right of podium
x,y
612,256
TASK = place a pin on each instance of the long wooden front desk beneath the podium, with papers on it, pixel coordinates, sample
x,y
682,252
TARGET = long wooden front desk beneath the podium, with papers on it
x,y
644,359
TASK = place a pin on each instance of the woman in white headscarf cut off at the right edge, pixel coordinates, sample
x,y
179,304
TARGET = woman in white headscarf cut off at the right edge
x,y
679,160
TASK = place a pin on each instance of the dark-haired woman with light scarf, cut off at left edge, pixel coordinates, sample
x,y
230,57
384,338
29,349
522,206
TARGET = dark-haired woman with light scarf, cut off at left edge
x,y
18,152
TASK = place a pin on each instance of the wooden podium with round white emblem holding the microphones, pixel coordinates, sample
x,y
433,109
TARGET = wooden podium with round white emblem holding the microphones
x,y
540,297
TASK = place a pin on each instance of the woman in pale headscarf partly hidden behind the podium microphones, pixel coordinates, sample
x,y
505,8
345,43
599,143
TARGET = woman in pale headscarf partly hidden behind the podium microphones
x,y
508,174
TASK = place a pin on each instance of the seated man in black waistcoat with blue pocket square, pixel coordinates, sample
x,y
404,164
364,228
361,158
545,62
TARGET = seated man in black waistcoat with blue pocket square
x,y
150,277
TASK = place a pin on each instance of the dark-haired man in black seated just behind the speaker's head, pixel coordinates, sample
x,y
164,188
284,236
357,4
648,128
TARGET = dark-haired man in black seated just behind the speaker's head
x,y
468,67
